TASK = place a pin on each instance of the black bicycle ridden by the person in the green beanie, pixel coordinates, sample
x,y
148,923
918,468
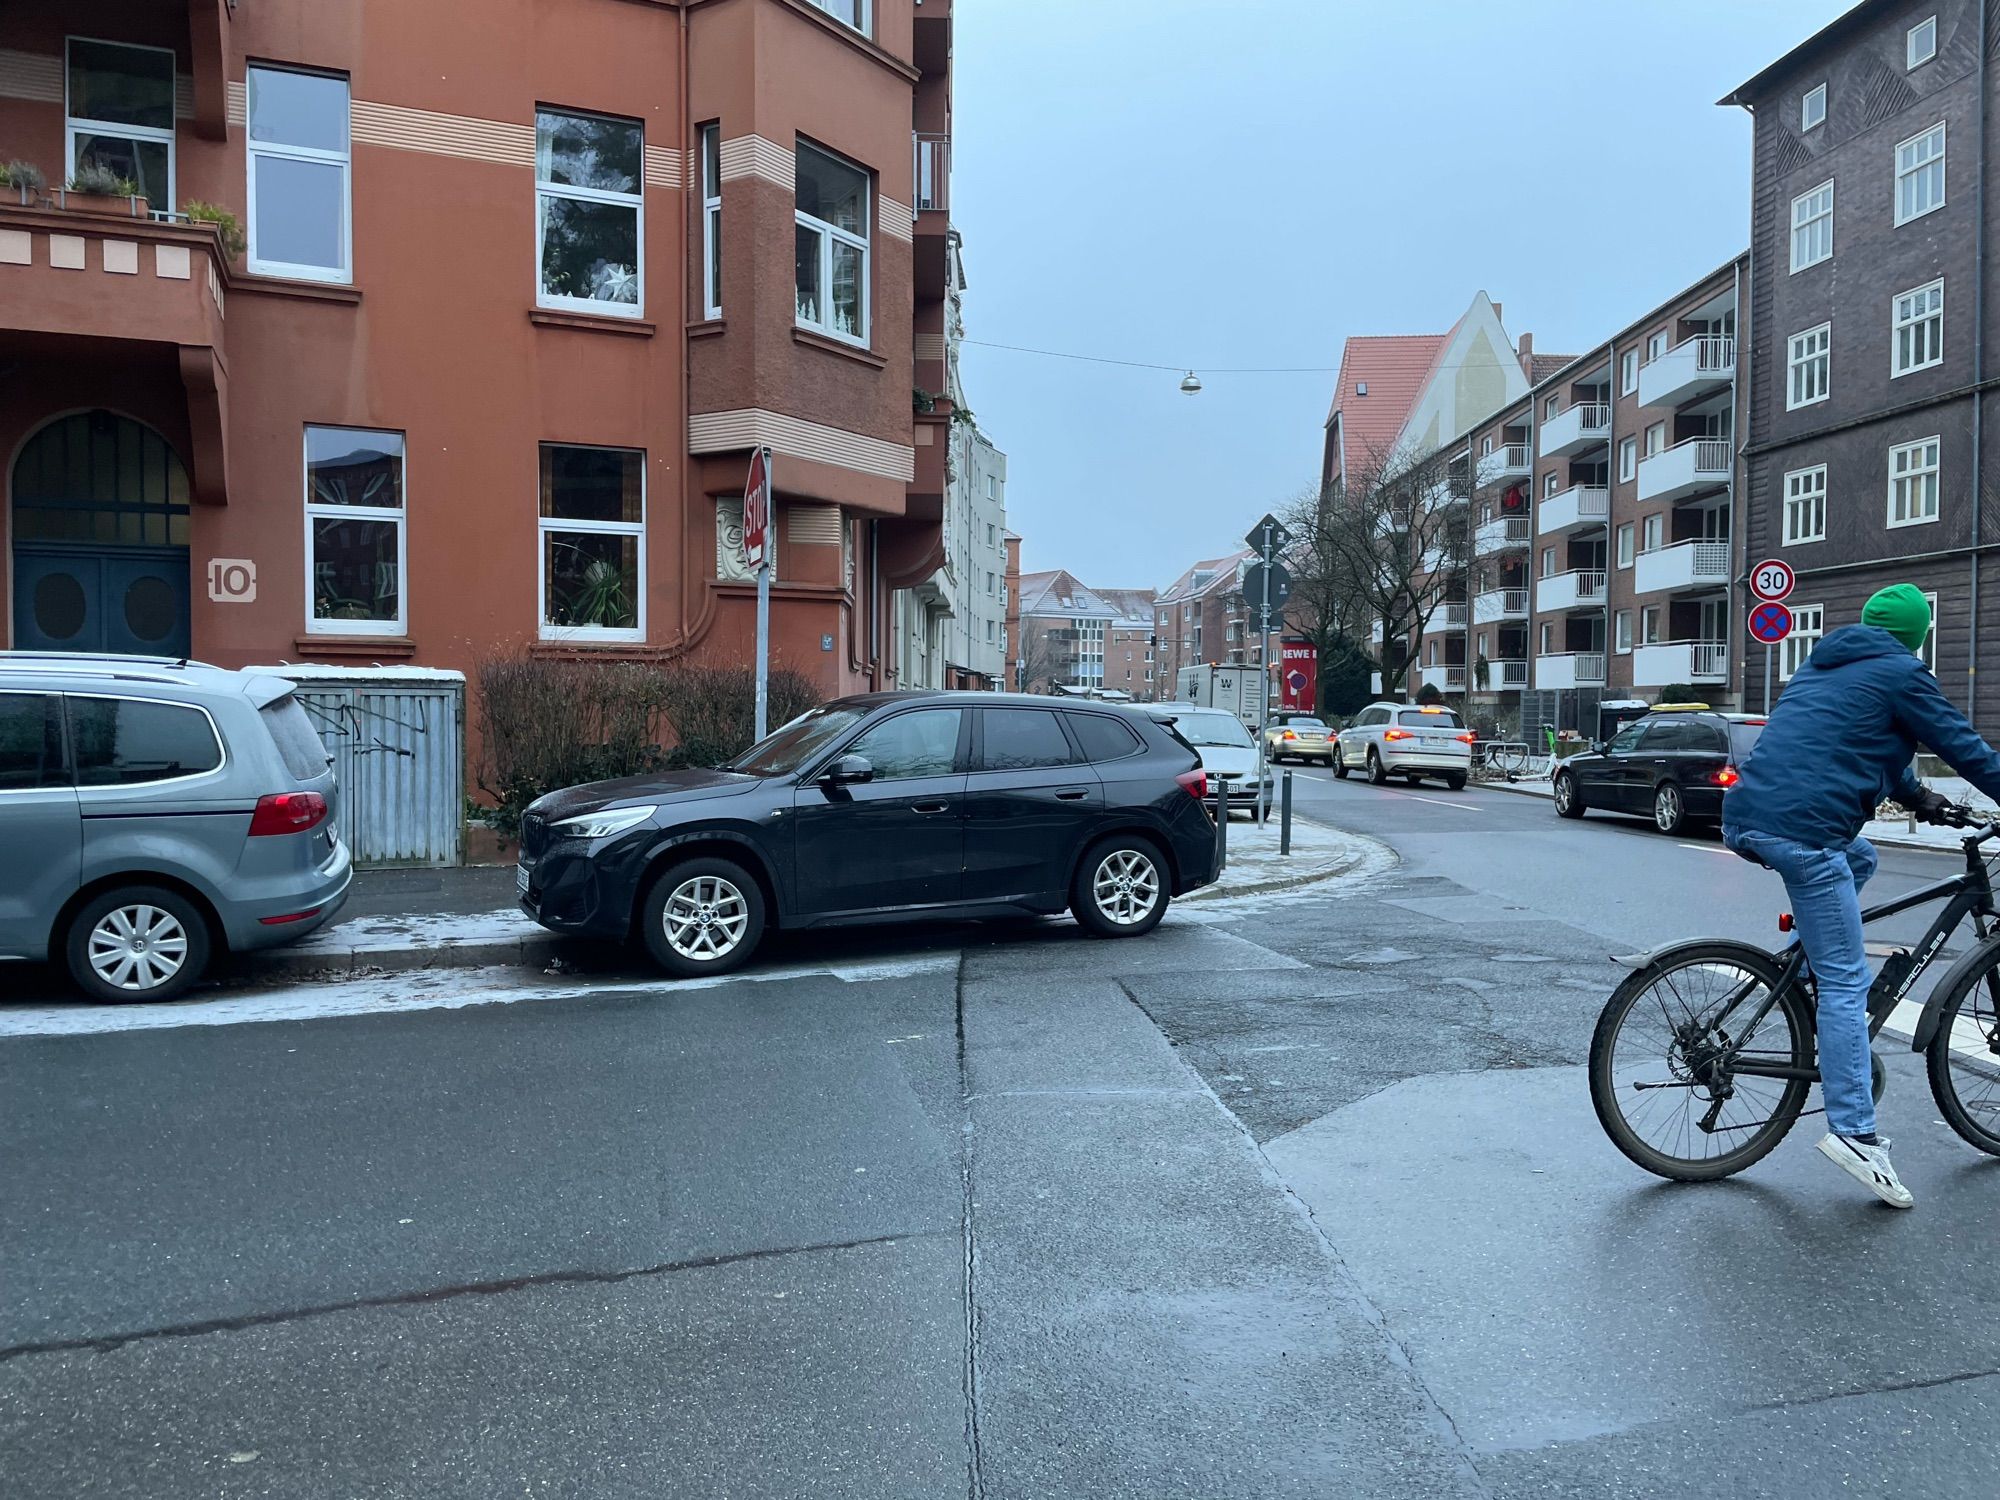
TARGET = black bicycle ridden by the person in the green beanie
x,y
1745,1045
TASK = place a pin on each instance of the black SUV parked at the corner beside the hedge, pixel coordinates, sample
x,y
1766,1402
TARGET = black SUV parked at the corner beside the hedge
x,y
881,809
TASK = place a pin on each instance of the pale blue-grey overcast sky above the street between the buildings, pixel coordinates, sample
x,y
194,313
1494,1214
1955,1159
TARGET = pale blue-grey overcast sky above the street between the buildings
x,y
1247,183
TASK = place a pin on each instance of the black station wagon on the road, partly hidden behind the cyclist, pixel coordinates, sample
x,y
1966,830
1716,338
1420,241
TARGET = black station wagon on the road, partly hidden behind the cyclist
x,y
1675,765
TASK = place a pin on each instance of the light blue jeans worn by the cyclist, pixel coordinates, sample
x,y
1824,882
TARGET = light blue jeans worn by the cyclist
x,y
1825,887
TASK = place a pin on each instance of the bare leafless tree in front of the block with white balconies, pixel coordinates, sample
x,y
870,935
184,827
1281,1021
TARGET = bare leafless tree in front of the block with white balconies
x,y
1385,547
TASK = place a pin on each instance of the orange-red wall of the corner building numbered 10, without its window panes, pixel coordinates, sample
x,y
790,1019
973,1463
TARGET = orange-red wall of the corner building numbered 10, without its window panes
x,y
443,337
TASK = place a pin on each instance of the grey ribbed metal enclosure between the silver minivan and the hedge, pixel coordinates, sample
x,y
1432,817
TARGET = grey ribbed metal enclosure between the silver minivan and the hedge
x,y
399,747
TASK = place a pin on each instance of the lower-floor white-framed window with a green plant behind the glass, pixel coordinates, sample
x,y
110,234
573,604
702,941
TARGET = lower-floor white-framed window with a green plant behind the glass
x,y
593,539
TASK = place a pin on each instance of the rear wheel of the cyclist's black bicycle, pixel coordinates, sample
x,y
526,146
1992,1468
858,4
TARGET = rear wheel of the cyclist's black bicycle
x,y
1657,1075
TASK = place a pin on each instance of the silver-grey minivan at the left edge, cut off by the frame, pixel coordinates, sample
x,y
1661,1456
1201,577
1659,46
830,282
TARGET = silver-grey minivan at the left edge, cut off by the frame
x,y
155,815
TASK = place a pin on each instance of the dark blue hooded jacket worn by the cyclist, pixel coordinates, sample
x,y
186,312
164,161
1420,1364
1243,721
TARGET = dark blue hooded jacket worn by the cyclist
x,y
1843,739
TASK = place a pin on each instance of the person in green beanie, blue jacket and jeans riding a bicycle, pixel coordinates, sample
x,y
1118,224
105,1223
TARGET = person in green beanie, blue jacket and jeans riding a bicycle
x,y
1839,743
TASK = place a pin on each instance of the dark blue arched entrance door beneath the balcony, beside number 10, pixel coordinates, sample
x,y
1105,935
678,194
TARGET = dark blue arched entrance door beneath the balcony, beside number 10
x,y
101,539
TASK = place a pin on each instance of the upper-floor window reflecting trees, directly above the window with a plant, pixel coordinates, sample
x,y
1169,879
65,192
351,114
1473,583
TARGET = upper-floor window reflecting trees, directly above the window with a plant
x,y
589,215
